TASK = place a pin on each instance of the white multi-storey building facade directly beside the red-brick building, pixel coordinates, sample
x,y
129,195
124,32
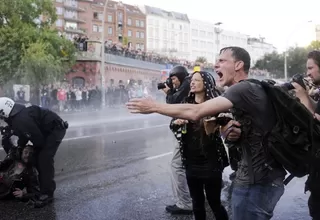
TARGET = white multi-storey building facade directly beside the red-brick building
x,y
168,32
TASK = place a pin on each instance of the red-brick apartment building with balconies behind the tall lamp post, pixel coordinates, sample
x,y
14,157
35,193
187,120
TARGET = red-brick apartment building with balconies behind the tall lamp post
x,y
124,24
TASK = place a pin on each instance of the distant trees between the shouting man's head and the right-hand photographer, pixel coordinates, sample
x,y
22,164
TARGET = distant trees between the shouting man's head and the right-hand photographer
x,y
296,60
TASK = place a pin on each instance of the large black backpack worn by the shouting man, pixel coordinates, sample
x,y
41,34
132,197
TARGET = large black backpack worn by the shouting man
x,y
294,140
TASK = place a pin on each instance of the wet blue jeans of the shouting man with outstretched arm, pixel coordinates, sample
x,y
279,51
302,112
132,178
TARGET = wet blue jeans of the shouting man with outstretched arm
x,y
255,202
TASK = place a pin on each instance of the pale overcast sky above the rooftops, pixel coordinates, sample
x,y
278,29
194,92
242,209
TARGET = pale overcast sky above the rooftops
x,y
279,21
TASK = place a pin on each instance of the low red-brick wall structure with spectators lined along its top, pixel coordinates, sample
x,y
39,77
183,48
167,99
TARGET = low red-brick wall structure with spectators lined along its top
x,y
86,71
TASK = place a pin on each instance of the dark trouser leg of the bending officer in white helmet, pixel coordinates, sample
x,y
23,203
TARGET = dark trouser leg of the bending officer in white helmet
x,y
45,161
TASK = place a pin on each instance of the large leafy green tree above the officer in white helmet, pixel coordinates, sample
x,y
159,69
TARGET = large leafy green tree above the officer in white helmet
x,y
26,34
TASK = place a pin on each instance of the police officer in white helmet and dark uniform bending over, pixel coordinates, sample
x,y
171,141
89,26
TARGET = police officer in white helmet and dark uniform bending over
x,y
45,129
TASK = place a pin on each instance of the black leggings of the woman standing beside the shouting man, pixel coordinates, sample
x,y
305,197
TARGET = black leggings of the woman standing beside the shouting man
x,y
212,187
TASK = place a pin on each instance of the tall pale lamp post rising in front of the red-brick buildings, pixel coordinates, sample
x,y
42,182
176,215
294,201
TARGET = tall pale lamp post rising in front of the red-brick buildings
x,y
103,60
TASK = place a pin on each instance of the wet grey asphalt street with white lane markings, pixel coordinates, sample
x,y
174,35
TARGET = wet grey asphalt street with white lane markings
x,y
116,167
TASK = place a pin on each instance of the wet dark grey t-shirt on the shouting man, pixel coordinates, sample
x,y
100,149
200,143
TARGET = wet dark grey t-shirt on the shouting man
x,y
252,99
